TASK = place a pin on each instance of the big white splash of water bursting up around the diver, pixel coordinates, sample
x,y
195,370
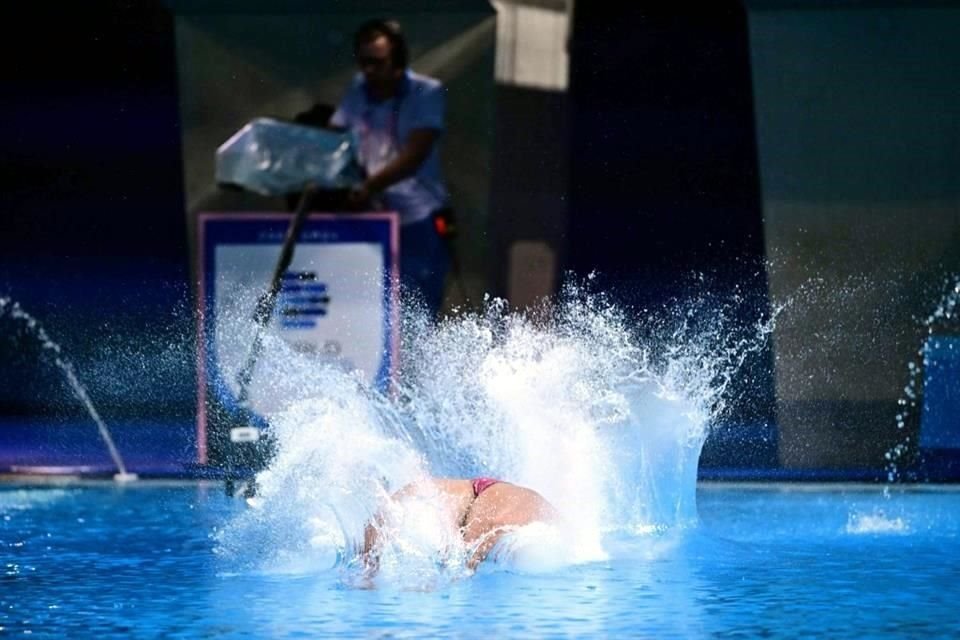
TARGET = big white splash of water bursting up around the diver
x,y
602,411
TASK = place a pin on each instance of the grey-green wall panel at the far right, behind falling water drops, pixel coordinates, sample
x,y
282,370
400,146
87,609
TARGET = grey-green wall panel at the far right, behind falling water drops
x,y
859,142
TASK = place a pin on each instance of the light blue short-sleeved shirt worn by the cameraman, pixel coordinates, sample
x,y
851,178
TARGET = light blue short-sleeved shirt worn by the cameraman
x,y
380,128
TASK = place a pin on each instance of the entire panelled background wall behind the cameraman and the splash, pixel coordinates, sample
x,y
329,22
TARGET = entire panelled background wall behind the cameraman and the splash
x,y
781,151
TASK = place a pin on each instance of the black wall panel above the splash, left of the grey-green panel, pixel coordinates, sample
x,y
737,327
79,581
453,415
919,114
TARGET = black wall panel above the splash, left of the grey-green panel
x,y
665,178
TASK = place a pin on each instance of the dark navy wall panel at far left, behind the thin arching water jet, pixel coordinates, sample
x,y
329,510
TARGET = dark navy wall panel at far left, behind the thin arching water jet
x,y
92,241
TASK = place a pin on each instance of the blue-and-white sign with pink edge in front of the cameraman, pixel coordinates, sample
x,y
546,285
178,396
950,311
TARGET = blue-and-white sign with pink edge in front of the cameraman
x,y
337,306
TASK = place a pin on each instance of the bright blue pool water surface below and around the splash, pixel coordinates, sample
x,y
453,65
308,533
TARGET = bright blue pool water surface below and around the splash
x,y
834,561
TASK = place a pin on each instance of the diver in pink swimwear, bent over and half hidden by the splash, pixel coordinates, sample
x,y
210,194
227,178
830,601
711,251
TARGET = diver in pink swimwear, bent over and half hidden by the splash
x,y
482,509
